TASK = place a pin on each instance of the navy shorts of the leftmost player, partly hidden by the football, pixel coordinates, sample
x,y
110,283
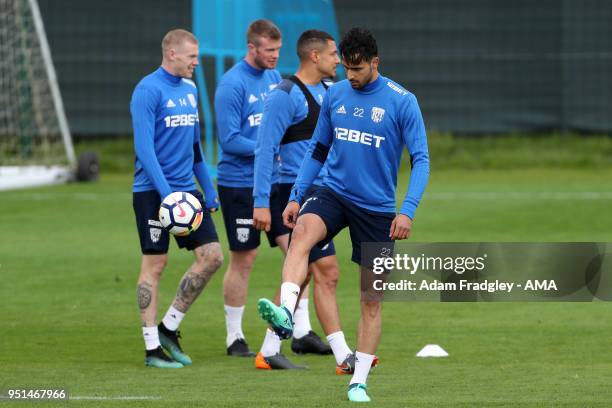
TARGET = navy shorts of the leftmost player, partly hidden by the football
x,y
154,240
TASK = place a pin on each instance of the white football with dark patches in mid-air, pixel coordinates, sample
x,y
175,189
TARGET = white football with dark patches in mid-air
x,y
180,213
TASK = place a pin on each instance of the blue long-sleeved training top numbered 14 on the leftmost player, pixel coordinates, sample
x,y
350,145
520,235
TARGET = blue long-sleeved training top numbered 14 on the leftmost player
x,y
166,126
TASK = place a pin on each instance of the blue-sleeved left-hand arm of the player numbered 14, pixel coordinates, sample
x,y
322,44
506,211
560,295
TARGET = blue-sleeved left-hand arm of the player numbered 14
x,y
142,108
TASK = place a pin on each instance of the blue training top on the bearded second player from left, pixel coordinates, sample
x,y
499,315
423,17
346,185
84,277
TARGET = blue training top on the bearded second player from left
x,y
239,101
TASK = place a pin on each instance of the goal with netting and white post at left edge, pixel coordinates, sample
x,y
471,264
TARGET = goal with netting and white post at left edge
x,y
35,142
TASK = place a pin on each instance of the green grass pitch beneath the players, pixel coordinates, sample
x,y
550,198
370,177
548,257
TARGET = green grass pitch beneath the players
x,y
69,260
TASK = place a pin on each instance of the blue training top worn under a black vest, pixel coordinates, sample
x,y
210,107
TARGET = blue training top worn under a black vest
x,y
285,106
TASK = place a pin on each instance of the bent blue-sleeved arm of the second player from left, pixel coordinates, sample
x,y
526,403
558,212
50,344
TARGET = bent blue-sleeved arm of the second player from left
x,y
228,105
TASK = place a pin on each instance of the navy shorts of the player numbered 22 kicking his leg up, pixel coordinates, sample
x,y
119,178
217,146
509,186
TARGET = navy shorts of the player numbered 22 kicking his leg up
x,y
365,226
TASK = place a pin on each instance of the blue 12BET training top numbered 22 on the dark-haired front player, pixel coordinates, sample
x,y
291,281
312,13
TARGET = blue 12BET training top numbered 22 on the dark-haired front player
x,y
366,130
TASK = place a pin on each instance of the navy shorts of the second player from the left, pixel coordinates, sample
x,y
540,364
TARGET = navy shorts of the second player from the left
x,y
237,207
